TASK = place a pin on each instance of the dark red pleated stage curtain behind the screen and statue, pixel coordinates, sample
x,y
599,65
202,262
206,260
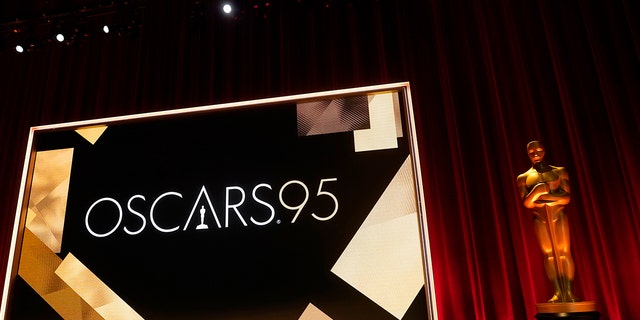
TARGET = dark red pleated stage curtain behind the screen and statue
x,y
486,78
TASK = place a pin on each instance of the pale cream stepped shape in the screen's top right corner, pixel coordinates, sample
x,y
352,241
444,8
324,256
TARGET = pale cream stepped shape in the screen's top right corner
x,y
385,124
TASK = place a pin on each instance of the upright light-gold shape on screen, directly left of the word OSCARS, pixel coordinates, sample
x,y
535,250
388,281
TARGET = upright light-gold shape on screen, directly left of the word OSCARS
x,y
48,197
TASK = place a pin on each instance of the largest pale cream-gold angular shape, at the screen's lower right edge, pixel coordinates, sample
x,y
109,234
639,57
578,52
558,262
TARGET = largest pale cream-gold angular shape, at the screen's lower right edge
x,y
383,260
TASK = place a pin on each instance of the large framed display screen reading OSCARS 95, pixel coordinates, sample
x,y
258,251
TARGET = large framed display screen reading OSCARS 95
x,y
299,207
